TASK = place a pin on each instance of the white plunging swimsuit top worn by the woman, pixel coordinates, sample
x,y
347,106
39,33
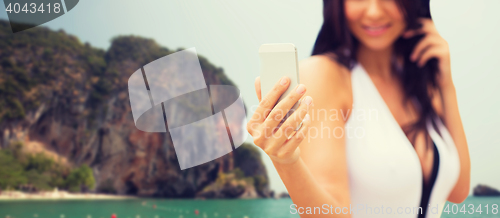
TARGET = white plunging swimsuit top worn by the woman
x,y
385,175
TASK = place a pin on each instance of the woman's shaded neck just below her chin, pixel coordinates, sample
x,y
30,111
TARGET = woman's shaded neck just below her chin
x,y
376,62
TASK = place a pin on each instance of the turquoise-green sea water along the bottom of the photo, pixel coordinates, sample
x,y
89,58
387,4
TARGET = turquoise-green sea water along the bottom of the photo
x,y
178,208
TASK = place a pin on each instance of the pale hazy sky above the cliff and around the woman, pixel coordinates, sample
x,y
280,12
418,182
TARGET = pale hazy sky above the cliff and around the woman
x,y
230,32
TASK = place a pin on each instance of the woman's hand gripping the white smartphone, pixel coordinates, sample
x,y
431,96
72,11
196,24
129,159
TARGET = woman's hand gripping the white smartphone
x,y
280,142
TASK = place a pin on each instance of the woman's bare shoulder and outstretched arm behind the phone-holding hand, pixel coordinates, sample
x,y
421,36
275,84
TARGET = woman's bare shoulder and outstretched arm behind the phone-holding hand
x,y
318,179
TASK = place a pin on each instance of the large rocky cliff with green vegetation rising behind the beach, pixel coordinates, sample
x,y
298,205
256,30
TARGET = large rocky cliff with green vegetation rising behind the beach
x,y
70,101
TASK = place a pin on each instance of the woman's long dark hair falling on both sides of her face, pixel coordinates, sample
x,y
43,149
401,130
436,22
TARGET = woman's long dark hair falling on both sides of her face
x,y
336,40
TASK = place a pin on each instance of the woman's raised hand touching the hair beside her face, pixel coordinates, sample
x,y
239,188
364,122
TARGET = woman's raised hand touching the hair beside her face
x,y
432,46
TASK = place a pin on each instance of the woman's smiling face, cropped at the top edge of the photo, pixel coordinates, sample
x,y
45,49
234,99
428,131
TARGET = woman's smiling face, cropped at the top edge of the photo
x,y
375,23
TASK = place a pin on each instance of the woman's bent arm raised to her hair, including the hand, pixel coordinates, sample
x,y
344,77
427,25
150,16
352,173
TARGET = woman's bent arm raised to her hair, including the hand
x,y
445,102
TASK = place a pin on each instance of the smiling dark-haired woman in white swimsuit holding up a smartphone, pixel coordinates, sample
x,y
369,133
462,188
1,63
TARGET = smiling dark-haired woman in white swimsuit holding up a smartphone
x,y
383,137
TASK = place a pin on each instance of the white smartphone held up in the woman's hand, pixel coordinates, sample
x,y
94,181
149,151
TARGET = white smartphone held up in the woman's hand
x,y
278,60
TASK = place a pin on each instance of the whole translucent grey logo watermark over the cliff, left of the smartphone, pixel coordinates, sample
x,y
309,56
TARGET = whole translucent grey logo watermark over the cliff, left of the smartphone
x,y
171,95
